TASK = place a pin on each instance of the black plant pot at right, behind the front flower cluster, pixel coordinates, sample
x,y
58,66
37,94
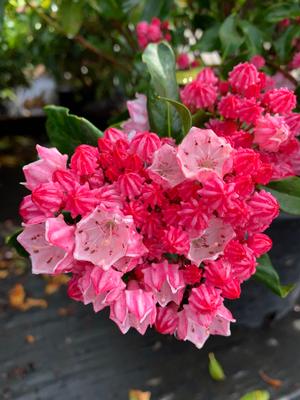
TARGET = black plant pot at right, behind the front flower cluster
x,y
258,305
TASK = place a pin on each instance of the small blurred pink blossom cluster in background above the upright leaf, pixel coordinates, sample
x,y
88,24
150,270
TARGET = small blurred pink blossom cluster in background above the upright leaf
x,y
152,32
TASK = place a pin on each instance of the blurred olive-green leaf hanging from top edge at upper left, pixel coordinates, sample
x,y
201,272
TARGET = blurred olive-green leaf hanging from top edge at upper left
x,y
70,16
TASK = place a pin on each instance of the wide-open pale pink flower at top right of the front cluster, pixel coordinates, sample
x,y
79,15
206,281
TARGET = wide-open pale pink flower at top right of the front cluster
x,y
202,153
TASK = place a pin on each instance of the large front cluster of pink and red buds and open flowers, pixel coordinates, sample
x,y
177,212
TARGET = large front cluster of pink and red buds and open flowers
x,y
160,233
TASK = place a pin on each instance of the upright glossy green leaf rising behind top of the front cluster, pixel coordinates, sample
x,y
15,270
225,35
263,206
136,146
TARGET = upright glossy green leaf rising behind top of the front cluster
x,y
160,61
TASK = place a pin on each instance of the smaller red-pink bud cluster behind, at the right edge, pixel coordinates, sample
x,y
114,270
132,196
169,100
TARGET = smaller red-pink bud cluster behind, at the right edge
x,y
250,113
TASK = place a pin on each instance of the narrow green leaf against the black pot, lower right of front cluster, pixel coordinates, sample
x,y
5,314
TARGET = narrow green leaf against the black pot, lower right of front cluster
x,y
266,274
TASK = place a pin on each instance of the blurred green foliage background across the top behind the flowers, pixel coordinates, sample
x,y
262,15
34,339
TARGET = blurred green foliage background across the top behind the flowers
x,y
85,54
